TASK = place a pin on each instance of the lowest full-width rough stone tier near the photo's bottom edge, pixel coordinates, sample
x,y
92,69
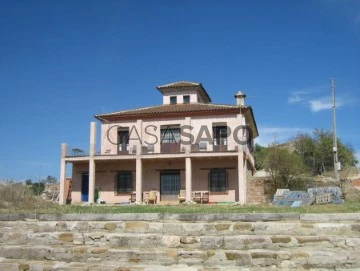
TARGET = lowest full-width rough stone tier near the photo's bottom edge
x,y
300,257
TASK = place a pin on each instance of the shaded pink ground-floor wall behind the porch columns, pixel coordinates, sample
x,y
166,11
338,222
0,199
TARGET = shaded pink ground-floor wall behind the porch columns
x,y
106,172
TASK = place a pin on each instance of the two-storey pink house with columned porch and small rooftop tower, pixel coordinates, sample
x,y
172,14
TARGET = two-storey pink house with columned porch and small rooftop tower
x,y
186,143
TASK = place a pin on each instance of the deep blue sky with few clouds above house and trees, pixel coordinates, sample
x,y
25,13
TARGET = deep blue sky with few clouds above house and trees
x,y
61,62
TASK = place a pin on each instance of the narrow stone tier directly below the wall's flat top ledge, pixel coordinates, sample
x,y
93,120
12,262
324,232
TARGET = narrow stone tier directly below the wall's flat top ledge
x,y
222,228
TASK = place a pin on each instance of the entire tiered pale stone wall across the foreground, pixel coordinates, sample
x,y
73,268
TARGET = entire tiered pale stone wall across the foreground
x,y
192,242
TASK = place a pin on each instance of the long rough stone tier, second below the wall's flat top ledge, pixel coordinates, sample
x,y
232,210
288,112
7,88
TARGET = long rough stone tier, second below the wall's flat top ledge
x,y
150,240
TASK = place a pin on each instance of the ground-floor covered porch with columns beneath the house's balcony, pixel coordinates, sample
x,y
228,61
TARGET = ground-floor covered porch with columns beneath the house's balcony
x,y
173,180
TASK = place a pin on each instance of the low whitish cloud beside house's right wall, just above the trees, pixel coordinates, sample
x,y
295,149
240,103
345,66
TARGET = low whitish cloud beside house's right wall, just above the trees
x,y
269,135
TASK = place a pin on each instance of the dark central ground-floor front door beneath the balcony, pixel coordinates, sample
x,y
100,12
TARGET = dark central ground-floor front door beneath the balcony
x,y
169,185
